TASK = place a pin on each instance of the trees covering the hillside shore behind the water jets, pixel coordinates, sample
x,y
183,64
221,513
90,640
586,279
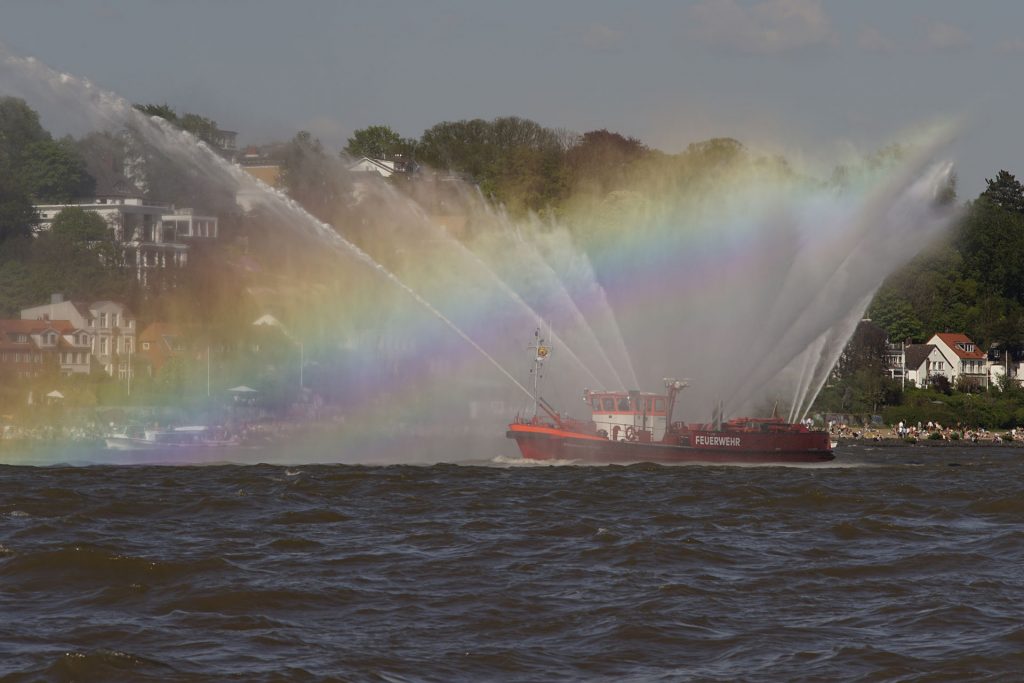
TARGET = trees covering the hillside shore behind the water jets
x,y
972,283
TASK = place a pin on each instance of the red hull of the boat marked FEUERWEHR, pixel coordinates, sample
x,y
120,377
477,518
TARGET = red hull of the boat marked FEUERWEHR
x,y
541,442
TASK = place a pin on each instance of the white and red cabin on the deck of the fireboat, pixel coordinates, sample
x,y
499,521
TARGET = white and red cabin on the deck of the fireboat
x,y
626,416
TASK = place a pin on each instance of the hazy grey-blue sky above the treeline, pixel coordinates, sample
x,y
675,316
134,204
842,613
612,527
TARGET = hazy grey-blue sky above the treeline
x,y
813,79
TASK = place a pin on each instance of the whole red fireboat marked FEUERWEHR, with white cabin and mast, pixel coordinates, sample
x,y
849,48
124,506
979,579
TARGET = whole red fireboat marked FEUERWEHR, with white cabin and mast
x,y
635,426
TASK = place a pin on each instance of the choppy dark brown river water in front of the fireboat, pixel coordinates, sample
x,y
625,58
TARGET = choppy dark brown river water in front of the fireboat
x,y
888,566
